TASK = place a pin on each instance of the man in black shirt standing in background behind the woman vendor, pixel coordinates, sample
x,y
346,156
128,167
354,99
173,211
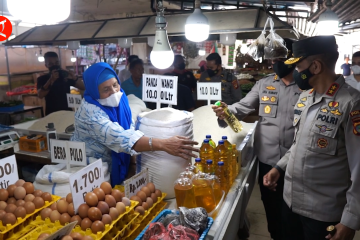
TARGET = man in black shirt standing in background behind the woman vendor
x,y
56,84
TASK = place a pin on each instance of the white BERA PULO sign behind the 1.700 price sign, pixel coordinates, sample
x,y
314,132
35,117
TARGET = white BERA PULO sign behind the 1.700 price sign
x,y
70,153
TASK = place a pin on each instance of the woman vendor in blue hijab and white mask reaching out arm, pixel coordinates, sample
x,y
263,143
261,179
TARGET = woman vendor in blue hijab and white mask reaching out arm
x,y
103,121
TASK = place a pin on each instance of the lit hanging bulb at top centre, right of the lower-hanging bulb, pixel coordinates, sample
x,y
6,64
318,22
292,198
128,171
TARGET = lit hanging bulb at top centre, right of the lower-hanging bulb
x,y
197,25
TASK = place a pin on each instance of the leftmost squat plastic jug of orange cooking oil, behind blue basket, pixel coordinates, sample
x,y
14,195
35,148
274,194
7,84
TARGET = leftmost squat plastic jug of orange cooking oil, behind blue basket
x,y
184,193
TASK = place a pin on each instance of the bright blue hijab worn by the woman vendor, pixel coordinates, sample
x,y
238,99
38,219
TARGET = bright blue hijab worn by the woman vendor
x,y
93,77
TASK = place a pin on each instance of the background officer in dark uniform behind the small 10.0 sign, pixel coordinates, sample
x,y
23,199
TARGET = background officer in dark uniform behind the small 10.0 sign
x,y
230,87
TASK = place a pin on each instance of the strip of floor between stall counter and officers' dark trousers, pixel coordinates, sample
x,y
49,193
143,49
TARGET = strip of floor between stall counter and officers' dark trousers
x,y
256,214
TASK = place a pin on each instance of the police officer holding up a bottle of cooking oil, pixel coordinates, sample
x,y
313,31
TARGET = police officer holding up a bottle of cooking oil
x,y
275,97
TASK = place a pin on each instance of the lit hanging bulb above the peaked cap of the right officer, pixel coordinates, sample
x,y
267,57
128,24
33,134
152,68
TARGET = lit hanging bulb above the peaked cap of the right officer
x,y
328,23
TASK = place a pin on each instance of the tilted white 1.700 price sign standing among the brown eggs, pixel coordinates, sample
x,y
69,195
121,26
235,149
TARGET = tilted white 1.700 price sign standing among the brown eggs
x,y
84,181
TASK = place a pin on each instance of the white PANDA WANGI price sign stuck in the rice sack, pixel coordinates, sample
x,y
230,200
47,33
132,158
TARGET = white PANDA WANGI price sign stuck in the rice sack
x,y
160,89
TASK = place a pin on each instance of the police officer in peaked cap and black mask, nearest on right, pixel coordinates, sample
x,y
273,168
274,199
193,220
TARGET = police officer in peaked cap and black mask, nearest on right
x,y
322,178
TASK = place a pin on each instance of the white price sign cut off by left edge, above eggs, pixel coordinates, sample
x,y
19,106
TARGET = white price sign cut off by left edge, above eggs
x,y
8,171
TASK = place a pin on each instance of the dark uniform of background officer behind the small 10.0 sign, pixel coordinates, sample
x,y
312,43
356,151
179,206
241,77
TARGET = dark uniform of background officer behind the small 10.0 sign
x,y
230,87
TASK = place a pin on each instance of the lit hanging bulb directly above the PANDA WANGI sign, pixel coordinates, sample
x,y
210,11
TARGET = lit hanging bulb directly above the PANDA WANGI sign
x,y
161,55
